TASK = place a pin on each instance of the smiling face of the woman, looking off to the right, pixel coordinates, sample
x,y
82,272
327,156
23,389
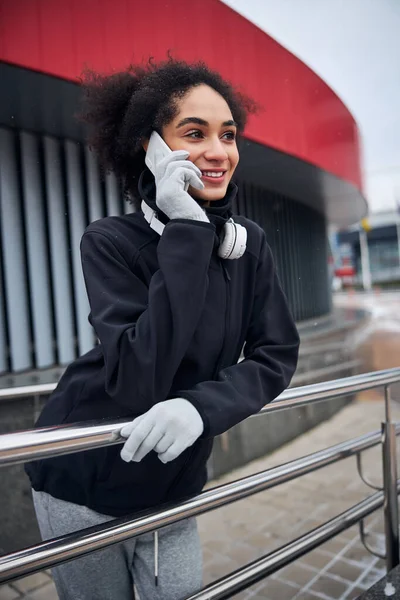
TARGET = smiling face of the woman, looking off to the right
x,y
204,127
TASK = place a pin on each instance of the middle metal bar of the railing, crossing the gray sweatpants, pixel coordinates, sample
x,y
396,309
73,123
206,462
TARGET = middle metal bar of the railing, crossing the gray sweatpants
x,y
67,547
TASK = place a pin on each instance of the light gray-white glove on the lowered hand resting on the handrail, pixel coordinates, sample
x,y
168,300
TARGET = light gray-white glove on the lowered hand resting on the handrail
x,y
168,428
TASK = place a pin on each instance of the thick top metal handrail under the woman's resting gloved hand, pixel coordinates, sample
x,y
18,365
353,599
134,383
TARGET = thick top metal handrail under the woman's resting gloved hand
x,y
65,439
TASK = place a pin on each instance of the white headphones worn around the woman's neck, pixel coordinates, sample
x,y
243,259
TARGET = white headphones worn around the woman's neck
x,y
233,242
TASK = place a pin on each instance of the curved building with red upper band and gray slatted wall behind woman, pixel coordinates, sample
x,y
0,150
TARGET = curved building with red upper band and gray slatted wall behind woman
x,y
299,168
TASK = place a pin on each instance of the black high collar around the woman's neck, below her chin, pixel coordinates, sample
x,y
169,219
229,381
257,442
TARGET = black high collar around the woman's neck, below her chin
x,y
218,212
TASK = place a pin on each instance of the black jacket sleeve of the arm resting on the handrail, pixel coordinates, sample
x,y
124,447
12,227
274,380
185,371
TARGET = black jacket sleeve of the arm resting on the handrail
x,y
271,353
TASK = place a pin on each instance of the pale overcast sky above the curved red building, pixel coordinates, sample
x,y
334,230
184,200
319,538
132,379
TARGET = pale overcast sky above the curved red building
x,y
354,45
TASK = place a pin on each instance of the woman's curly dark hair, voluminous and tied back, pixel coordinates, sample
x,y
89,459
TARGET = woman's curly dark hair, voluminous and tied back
x,y
122,109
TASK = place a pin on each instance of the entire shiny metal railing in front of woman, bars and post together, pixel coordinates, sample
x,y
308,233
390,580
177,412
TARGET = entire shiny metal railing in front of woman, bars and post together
x,y
67,439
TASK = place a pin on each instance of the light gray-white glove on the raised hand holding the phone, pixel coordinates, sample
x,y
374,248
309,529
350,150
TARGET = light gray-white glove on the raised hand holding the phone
x,y
171,175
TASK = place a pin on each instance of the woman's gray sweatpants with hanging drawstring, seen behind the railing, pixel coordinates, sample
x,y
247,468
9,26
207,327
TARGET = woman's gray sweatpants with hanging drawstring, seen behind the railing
x,y
110,574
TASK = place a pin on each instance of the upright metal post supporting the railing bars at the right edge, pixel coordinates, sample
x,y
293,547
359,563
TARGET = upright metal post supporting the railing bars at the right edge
x,y
391,513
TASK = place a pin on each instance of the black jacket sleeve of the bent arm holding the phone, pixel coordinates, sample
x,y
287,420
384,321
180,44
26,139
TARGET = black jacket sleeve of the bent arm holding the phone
x,y
145,330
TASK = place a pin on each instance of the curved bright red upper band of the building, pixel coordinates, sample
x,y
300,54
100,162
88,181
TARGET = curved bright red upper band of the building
x,y
302,116
